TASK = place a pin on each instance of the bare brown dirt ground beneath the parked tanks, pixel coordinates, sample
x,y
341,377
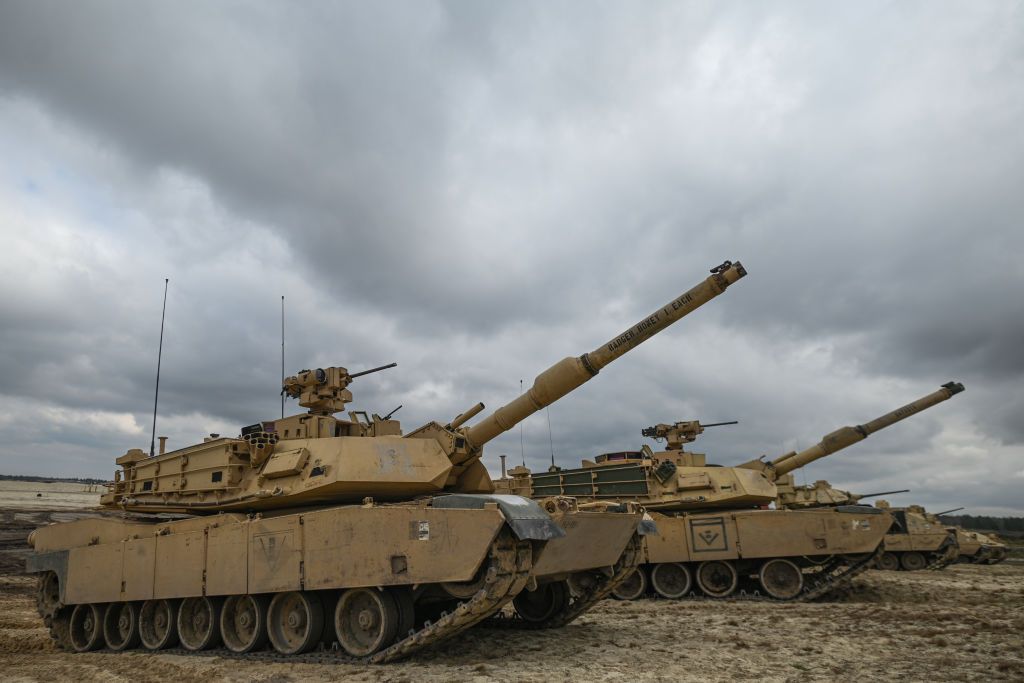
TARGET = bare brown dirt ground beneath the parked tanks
x,y
965,623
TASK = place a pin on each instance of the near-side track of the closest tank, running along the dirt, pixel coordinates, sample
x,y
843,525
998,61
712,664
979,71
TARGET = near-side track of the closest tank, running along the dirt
x,y
508,574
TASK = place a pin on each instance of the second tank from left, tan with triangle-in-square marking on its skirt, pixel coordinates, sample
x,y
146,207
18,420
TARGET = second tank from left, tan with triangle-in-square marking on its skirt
x,y
714,534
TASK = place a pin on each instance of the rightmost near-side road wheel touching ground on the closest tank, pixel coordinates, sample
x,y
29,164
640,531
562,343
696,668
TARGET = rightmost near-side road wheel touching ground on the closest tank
x,y
366,621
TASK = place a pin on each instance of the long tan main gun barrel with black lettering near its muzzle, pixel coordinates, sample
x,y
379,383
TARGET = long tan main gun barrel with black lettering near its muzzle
x,y
571,373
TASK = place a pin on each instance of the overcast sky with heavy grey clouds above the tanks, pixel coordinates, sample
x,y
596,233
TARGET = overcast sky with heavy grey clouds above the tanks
x,y
478,190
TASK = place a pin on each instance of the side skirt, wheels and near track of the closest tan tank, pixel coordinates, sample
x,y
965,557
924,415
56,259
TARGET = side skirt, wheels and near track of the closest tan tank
x,y
369,576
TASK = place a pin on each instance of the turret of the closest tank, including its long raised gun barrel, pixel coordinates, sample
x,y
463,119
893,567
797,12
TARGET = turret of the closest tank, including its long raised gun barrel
x,y
318,458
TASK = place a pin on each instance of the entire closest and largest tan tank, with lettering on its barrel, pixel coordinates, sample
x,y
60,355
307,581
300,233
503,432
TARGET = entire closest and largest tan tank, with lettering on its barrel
x,y
315,529
